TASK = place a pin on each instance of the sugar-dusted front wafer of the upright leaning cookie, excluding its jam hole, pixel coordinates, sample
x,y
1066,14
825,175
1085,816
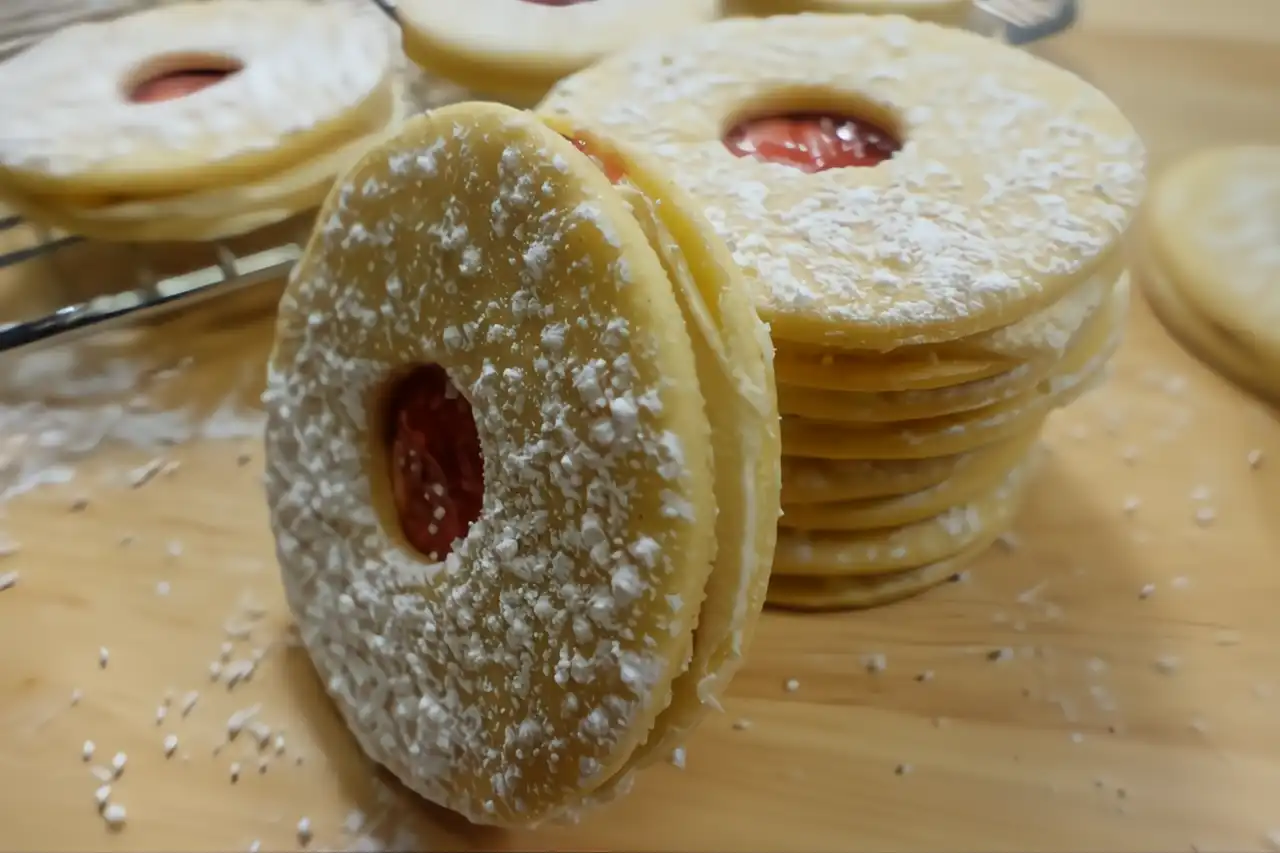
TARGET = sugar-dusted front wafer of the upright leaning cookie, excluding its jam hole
x,y
513,677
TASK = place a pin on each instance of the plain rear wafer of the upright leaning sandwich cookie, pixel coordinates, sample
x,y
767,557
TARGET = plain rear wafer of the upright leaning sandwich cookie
x,y
734,359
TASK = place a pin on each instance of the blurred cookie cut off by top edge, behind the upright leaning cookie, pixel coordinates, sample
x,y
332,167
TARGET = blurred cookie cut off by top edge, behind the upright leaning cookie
x,y
519,49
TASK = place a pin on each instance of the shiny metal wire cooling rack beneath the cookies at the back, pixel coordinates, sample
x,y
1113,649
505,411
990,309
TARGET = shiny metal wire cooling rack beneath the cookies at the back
x,y
1013,21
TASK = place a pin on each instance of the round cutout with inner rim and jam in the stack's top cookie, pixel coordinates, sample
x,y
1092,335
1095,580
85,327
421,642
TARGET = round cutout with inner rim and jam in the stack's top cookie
x,y
815,135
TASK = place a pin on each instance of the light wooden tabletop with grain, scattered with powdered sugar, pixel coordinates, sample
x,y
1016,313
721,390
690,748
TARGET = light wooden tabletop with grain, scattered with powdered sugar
x,y
1107,682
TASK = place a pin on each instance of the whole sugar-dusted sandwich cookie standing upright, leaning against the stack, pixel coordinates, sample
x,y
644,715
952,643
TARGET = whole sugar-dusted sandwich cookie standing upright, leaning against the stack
x,y
523,462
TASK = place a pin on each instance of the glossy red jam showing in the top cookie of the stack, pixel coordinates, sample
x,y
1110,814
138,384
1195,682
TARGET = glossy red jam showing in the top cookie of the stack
x,y
813,143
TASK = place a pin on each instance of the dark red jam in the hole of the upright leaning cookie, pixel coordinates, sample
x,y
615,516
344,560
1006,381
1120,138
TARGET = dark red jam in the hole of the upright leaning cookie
x,y
437,472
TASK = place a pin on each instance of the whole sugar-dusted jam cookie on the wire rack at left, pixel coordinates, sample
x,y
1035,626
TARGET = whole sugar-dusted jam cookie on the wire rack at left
x,y
278,84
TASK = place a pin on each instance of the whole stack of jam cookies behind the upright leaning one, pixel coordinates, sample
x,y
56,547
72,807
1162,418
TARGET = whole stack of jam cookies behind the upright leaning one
x,y
934,236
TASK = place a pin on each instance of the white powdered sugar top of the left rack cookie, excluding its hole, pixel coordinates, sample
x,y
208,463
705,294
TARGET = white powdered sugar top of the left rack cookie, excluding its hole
x,y
304,65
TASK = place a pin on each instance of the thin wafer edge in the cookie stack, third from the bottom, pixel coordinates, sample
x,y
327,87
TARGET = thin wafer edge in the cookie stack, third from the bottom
x,y
870,514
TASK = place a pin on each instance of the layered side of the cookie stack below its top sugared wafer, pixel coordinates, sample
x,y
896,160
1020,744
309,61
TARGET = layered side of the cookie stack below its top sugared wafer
x,y
902,468
